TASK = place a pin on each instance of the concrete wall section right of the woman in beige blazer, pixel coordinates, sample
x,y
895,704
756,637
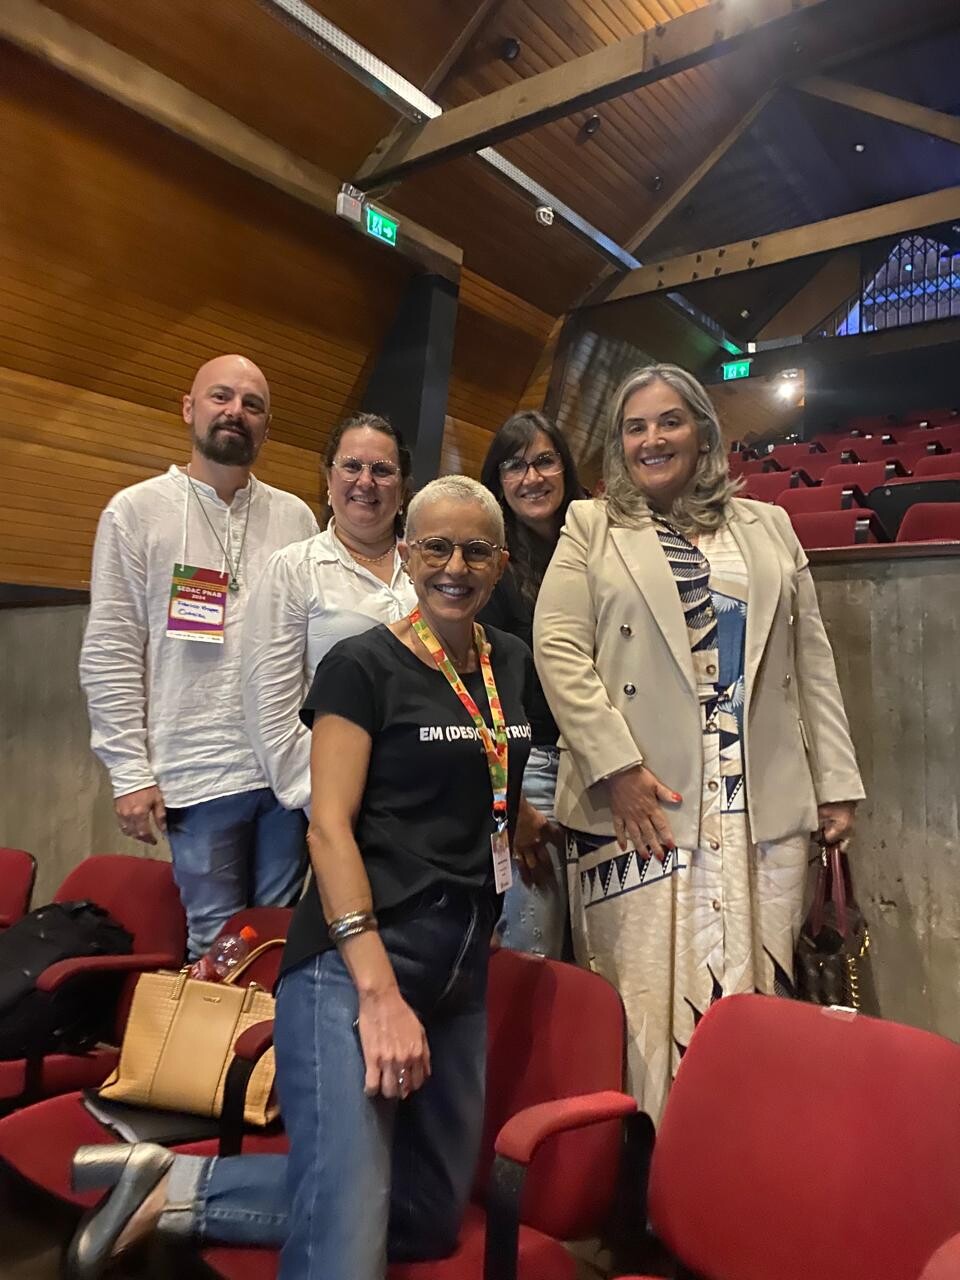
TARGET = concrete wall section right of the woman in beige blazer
x,y
895,625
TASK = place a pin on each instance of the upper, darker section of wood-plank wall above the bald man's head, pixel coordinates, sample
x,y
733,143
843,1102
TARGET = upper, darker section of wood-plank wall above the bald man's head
x,y
127,258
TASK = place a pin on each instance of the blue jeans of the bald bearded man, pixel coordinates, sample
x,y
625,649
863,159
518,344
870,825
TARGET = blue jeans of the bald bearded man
x,y
235,852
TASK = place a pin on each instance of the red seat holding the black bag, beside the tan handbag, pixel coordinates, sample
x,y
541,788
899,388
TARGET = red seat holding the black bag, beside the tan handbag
x,y
141,895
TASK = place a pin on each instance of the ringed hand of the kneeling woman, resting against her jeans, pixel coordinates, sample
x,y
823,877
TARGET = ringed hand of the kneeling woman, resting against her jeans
x,y
396,1054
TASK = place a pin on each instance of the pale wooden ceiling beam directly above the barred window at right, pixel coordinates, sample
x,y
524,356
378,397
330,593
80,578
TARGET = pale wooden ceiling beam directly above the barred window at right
x,y
894,220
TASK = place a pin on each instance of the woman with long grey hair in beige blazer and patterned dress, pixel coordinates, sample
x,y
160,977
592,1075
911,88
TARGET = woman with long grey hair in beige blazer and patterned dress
x,y
703,735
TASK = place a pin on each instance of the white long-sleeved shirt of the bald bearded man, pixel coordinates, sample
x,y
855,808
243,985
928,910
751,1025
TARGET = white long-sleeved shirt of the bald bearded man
x,y
166,711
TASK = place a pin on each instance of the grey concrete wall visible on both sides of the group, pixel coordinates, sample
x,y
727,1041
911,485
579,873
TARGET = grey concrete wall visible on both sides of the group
x,y
895,625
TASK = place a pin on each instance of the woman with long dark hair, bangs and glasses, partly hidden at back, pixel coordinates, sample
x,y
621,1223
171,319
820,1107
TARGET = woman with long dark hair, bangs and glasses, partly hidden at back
x,y
531,472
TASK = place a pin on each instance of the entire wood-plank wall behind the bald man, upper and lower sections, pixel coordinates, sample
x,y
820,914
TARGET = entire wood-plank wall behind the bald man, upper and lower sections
x,y
127,259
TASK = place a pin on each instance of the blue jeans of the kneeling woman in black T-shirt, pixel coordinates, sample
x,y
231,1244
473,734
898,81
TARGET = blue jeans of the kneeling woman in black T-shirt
x,y
365,1178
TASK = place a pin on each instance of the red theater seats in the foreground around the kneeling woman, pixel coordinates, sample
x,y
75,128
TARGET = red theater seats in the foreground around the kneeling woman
x,y
564,1135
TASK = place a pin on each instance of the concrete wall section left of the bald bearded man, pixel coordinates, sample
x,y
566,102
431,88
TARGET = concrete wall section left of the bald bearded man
x,y
54,797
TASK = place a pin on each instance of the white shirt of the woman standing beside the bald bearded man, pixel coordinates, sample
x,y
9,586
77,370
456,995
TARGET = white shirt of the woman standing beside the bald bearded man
x,y
309,597
